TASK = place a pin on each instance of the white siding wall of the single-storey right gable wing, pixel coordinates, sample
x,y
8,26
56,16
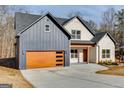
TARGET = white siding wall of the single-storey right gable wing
x,y
95,54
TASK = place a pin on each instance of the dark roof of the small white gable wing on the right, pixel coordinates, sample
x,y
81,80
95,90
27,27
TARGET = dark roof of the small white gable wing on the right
x,y
100,35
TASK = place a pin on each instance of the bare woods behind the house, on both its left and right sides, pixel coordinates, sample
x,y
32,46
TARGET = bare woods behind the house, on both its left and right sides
x,y
112,22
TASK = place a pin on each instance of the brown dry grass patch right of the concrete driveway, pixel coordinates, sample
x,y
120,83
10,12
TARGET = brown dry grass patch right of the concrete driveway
x,y
115,70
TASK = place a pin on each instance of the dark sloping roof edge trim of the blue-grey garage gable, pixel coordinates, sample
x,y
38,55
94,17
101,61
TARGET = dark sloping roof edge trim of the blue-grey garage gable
x,y
53,20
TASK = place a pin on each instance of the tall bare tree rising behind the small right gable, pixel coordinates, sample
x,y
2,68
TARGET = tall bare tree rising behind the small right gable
x,y
109,20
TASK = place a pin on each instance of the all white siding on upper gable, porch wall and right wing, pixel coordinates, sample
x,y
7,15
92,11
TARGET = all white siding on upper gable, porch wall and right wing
x,y
95,53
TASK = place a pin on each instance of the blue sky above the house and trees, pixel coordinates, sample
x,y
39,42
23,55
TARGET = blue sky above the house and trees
x,y
89,12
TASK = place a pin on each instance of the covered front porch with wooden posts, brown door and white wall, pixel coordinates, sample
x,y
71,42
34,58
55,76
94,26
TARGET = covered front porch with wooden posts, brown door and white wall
x,y
80,53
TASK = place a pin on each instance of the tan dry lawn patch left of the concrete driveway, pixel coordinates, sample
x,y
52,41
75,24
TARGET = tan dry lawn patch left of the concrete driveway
x,y
14,77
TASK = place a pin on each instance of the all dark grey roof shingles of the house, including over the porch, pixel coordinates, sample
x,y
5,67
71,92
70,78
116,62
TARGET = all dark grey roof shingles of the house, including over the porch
x,y
23,20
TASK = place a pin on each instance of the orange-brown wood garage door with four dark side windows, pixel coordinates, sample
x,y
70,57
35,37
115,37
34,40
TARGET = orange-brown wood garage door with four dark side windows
x,y
41,59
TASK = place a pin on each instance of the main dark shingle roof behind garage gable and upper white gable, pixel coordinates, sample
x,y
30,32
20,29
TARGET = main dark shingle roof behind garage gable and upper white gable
x,y
22,20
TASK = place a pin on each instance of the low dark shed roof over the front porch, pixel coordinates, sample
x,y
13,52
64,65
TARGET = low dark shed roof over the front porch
x,y
82,42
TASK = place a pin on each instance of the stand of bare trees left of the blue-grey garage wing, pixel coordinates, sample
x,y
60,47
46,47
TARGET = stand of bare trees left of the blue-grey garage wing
x,y
7,33
